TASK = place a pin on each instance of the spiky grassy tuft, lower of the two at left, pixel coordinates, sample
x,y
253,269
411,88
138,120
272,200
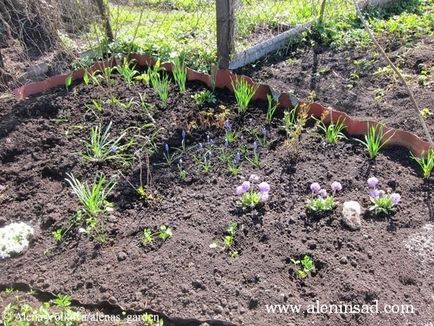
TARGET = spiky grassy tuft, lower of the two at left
x,y
93,198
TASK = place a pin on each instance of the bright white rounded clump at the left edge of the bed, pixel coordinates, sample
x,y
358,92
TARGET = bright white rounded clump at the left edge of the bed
x,y
14,239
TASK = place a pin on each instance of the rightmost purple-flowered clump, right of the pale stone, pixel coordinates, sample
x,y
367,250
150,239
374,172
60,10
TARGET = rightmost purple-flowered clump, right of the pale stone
x,y
382,202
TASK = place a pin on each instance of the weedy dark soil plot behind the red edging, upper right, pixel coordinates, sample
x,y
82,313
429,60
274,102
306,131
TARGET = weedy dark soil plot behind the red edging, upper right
x,y
350,80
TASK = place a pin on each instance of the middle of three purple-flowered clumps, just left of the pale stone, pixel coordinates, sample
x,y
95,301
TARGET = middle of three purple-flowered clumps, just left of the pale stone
x,y
321,202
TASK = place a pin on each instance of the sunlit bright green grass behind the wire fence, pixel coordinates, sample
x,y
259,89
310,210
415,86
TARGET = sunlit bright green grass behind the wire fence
x,y
169,28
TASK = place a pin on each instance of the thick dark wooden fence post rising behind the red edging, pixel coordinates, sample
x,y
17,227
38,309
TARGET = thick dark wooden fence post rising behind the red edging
x,y
225,32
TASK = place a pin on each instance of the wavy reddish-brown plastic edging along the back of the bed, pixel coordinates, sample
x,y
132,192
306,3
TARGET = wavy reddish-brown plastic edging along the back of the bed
x,y
223,79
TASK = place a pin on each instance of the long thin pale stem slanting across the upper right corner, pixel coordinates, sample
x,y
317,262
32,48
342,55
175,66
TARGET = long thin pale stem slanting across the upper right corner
x,y
386,57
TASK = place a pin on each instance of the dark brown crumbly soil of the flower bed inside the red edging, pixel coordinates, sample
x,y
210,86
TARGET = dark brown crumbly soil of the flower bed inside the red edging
x,y
42,140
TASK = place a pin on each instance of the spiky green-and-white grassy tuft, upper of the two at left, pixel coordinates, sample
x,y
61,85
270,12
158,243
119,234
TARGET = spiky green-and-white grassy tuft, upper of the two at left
x,y
102,147
